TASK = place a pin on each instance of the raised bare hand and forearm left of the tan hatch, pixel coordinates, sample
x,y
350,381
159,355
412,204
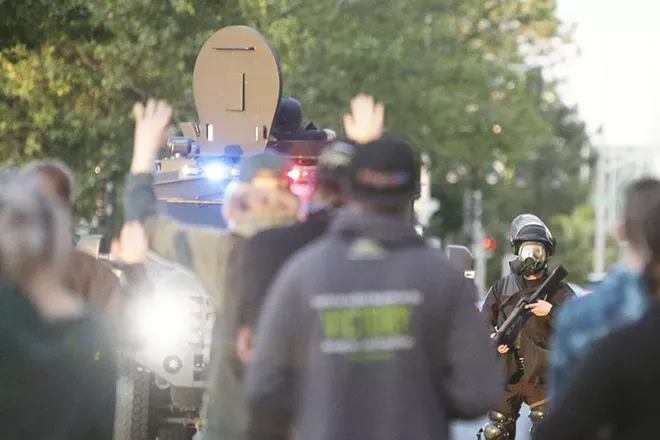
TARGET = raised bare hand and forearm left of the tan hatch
x,y
151,123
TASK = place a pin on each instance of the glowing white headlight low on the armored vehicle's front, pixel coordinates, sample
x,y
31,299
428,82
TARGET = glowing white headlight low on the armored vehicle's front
x,y
164,319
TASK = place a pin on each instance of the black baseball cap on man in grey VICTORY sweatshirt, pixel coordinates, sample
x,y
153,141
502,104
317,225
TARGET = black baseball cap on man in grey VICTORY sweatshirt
x,y
383,173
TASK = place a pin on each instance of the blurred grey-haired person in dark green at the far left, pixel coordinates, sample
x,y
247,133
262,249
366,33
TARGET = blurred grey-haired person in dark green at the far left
x,y
57,365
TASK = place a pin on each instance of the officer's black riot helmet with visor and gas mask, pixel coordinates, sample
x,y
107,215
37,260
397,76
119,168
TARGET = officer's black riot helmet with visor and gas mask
x,y
532,243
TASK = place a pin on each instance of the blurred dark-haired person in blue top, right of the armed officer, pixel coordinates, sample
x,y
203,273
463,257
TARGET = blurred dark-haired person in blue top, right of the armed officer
x,y
619,300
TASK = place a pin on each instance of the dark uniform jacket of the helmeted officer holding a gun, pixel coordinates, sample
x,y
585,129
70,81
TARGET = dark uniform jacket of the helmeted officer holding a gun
x,y
533,332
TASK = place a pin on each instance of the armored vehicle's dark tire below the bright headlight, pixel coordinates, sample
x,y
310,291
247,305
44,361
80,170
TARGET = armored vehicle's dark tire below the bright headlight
x,y
133,396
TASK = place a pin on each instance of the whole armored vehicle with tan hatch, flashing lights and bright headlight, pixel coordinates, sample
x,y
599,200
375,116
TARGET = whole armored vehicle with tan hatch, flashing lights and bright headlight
x,y
237,88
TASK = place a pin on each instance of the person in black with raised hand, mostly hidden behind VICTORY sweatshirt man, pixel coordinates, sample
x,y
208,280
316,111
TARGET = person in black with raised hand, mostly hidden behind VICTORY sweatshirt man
x,y
268,250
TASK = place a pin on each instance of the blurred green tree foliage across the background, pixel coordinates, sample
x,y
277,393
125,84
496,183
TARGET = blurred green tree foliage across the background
x,y
451,73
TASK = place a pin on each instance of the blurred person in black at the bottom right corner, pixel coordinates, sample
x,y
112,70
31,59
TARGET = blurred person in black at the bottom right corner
x,y
616,383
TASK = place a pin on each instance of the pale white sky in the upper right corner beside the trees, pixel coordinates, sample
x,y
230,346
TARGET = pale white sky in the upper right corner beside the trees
x,y
615,80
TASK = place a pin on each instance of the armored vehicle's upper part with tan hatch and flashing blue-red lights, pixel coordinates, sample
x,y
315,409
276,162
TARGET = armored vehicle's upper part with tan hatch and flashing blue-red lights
x,y
237,88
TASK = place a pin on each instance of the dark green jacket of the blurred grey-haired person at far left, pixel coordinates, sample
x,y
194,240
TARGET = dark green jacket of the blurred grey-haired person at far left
x,y
57,378
